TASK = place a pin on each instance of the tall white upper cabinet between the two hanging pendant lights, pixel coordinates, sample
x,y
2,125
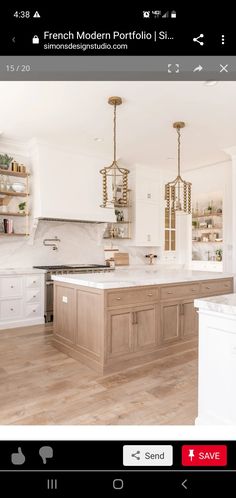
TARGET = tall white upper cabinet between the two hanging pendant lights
x,y
146,185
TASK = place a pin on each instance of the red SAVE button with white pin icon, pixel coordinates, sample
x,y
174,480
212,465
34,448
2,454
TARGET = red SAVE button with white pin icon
x,y
204,455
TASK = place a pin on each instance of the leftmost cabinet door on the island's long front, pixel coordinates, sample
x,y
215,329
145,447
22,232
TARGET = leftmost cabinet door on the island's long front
x,y
119,333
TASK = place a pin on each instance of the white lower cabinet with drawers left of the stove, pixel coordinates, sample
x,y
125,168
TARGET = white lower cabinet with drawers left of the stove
x,y
21,300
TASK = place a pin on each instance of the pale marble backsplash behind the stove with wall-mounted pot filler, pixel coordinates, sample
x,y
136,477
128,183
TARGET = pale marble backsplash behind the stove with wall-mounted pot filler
x,y
79,243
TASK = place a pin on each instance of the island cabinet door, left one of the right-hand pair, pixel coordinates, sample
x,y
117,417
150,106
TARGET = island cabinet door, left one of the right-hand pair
x,y
170,322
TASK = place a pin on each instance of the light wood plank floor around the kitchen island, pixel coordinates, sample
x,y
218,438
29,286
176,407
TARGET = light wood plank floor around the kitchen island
x,y
40,385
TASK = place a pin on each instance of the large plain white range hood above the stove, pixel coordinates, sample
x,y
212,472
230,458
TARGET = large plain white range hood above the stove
x,y
67,185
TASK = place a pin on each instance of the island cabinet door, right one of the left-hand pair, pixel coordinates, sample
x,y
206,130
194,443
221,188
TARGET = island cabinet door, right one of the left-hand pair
x,y
146,330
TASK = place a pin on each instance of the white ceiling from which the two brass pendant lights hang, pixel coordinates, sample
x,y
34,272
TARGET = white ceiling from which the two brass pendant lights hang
x,y
73,114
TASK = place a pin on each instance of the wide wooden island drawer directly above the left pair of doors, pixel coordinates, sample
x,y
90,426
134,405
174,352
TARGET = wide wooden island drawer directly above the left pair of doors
x,y
131,297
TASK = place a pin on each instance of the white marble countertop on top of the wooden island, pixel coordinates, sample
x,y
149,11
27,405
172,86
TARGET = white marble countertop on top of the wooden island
x,y
133,278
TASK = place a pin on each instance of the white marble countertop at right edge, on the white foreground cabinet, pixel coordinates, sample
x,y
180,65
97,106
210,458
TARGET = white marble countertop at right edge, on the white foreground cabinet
x,y
220,304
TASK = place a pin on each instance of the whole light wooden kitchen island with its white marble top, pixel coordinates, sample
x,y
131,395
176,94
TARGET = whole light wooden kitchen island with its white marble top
x,y
116,320
